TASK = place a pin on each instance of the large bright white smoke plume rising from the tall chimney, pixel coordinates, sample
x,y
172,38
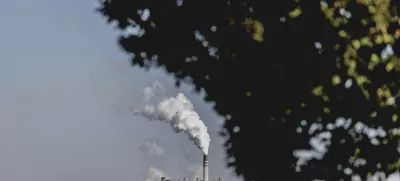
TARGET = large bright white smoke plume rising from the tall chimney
x,y
179,112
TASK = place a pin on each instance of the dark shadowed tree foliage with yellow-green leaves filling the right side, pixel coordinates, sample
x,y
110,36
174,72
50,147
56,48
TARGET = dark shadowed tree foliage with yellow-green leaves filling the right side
x,y
293,75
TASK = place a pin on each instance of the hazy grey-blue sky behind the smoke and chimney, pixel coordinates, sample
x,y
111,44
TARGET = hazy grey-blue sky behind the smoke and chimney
x,y
66,91
